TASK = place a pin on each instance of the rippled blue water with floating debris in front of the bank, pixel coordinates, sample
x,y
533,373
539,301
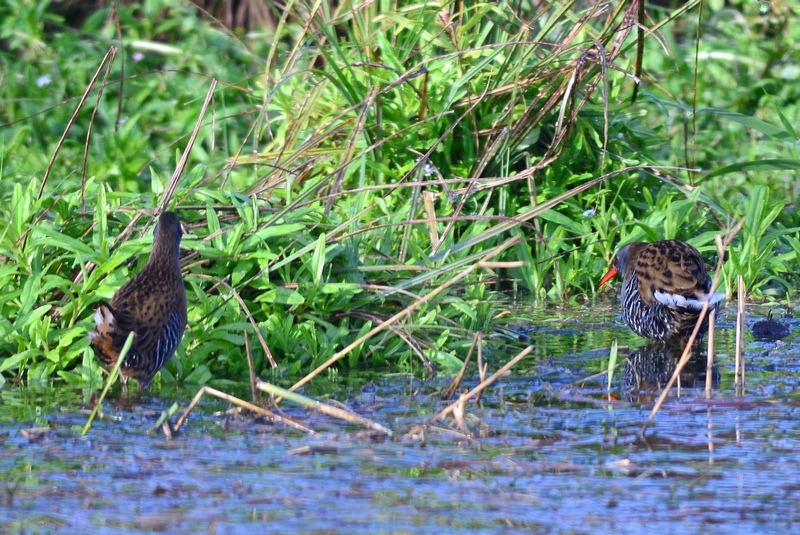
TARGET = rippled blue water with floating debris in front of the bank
x,y
549,455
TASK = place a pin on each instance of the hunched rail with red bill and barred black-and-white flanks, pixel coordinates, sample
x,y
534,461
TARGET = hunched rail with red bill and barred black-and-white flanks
x,y
664,287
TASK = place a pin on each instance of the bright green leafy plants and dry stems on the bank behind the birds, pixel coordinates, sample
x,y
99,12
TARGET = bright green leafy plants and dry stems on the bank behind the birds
x,y
347,162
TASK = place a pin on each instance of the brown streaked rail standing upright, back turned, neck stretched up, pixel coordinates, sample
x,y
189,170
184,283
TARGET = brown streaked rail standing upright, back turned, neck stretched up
x,y
152,305
